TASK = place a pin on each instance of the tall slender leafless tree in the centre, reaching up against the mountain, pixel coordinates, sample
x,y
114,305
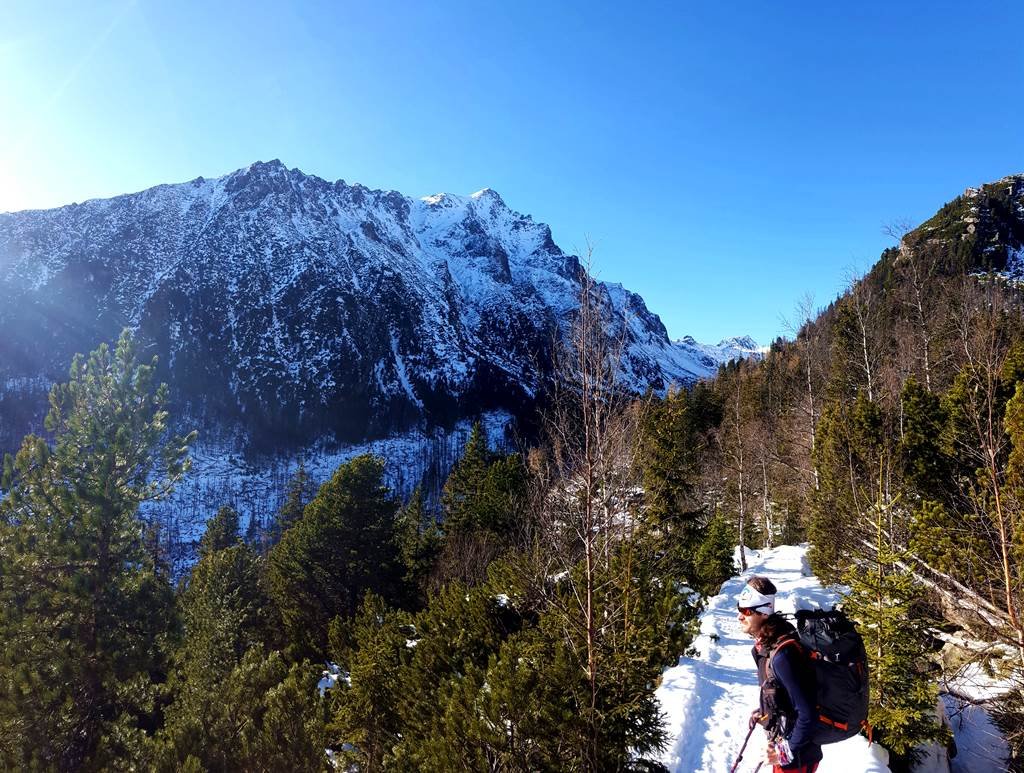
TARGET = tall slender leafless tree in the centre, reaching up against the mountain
x,y
587,484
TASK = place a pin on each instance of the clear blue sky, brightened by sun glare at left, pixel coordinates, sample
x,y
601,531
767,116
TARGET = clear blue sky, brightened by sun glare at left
x,y
724,158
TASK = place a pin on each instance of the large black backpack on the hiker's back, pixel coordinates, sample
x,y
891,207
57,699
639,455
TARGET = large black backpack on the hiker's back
x,y
837,653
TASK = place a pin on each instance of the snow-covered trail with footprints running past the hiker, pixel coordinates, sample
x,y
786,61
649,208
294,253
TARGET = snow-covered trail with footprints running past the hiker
x,y
708,699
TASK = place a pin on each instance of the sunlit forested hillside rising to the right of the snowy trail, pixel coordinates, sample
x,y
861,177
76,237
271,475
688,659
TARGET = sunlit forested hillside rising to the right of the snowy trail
x,y
890,433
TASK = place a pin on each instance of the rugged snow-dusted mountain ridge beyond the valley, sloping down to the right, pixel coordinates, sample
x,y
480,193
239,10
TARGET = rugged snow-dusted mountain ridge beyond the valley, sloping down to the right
x,y
297,307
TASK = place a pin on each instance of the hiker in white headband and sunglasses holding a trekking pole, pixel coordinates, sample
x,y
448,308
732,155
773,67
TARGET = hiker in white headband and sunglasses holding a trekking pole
x,y
788,689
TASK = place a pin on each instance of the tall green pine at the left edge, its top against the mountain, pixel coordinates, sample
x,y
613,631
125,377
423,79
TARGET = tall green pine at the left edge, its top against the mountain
x,y
83,612
